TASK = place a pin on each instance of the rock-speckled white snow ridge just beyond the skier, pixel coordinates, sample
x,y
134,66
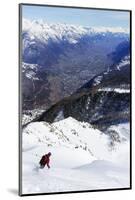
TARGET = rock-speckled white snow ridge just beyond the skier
x,y
68,133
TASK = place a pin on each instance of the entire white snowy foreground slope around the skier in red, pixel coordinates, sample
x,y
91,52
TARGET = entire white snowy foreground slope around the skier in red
x,y
81,157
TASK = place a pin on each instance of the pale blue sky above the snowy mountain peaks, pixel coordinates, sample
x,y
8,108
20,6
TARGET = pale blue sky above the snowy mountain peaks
x,y
84,17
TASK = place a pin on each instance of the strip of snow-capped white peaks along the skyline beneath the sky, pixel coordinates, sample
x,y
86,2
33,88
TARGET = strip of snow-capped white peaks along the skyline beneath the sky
x,y
42,30
